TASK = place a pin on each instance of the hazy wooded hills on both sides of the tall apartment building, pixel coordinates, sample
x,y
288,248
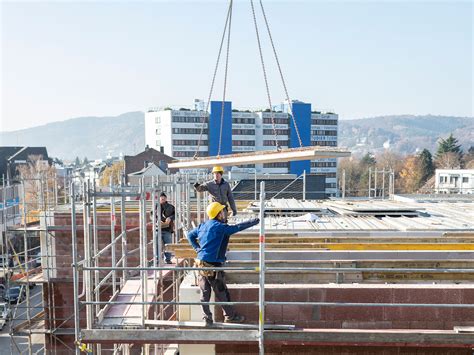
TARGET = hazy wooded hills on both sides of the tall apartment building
x,y
98,137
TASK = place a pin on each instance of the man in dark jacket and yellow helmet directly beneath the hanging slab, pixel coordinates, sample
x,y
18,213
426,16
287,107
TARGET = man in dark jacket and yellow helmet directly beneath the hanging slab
x,y
219,189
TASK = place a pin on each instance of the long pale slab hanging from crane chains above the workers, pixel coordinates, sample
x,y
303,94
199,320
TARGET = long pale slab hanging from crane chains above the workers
x,y
259,157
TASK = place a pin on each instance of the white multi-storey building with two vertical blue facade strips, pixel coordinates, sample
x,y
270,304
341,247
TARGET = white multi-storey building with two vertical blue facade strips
x,y
178,131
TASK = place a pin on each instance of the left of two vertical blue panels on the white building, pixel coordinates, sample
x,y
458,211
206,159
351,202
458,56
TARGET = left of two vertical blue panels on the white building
x,y
215,128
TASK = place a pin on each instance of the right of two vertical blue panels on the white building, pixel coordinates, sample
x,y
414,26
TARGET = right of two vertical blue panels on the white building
x,y
302,113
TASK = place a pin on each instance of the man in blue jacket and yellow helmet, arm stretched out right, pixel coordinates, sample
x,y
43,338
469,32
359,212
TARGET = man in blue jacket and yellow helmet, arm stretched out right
x,y
210,240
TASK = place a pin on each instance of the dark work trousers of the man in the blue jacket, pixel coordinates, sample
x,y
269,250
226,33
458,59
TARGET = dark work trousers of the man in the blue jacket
x,y
216,283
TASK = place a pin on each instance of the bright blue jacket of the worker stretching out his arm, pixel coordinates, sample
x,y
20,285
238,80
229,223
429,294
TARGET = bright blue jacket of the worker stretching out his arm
x,y
210,239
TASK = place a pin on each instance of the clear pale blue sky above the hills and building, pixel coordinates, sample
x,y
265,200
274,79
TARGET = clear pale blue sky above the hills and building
x,y
67,59
